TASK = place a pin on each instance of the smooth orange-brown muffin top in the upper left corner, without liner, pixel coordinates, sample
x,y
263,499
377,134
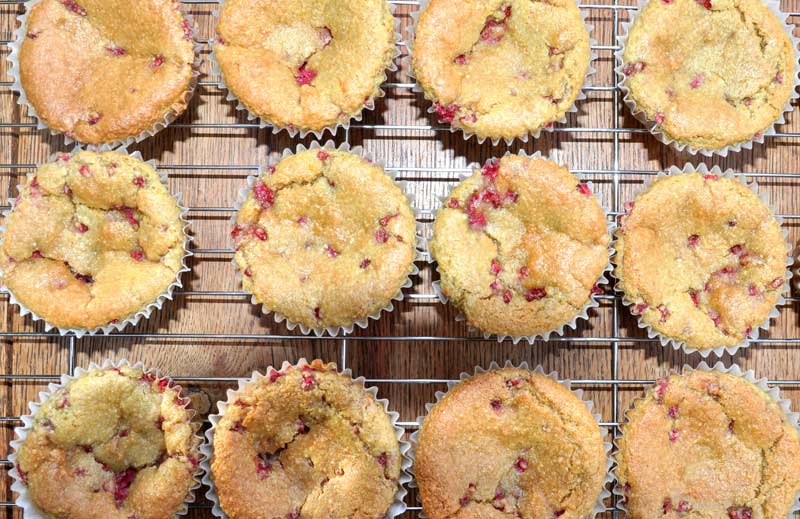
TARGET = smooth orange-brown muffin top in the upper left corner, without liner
x,y
105,70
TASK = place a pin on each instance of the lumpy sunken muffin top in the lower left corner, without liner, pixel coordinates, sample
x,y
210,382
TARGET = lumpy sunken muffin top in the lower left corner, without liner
x,y
111,444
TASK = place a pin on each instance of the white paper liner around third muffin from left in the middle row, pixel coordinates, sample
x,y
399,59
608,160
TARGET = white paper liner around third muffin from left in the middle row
x,y
593,301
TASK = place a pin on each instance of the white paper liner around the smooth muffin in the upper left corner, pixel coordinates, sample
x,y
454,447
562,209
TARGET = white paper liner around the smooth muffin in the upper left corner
x,y
22,100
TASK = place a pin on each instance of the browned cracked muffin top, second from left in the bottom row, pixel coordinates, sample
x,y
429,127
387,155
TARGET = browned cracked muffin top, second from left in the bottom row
x,y
305,442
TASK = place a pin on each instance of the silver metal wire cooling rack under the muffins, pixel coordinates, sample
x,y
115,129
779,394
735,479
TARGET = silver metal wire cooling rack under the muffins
x,y
614,174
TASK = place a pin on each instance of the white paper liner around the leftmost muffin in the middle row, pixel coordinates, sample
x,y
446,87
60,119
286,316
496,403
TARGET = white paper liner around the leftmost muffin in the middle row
x,y
144,312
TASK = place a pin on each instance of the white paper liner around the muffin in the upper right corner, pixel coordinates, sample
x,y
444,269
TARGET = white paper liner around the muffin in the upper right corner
x,y
654,128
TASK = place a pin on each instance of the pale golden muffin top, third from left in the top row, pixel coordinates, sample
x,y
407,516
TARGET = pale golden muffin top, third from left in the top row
x,y
501,68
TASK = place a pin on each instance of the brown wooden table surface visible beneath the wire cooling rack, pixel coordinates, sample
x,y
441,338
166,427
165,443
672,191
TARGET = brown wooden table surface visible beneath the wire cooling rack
x,y
412,351
